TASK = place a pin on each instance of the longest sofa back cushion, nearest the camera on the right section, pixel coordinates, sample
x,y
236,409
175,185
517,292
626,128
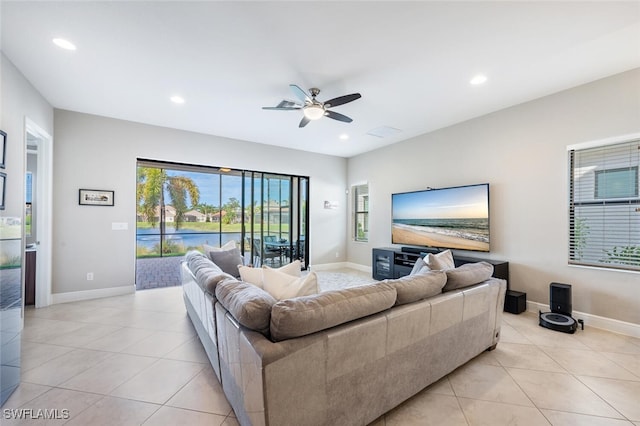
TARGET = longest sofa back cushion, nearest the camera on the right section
x,y
305,315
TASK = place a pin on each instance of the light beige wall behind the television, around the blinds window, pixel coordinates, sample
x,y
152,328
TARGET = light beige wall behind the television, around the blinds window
x,y
521,152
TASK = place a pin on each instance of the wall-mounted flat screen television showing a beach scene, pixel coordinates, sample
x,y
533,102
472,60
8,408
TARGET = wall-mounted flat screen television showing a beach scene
x,y
444,218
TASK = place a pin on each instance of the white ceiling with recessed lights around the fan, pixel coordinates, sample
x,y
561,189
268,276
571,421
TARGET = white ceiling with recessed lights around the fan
x,y
411,61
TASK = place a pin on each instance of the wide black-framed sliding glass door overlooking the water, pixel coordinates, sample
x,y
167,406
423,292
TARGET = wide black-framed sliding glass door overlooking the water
x,y
183,207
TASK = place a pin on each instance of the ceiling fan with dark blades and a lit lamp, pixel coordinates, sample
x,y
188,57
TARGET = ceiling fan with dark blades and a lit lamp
x,y
314,109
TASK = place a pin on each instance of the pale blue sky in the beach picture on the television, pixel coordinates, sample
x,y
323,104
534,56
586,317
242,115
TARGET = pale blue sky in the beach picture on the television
x,y
448,203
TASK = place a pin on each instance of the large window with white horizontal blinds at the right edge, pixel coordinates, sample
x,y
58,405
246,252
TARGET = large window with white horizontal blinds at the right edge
x,y
604,204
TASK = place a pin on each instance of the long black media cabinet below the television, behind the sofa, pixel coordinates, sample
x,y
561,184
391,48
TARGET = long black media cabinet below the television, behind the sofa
x,y
396,263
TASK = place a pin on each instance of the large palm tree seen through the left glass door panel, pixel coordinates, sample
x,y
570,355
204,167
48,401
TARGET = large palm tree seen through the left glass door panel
x,y
152,185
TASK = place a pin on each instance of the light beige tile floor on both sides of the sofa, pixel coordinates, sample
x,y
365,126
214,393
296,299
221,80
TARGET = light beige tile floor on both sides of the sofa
x,y
135,359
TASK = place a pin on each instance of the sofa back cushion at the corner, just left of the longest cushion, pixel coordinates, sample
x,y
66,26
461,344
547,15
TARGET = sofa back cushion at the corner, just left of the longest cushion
x,y
249,305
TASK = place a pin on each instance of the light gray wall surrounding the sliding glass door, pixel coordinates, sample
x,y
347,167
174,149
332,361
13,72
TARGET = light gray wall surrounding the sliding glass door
x,y
100,153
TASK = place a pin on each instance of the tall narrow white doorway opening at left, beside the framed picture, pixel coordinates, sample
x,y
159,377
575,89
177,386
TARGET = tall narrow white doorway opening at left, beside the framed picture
x,y
38,210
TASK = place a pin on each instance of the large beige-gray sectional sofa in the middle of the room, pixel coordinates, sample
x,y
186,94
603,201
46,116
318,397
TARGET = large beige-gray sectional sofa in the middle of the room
x,y
342,357
